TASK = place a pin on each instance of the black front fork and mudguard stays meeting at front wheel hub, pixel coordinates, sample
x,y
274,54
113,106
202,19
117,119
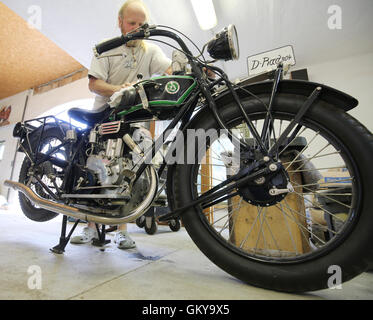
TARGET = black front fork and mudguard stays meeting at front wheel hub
x,y
268,164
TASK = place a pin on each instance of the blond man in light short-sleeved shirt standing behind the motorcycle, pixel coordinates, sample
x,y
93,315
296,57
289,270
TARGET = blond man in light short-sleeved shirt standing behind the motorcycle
x,y
120,69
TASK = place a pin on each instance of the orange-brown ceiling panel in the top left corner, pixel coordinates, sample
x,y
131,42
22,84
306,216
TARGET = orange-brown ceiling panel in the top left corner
x,y
27,57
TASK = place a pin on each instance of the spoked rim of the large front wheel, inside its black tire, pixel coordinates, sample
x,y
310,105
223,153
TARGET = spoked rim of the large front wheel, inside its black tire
x,y
313,238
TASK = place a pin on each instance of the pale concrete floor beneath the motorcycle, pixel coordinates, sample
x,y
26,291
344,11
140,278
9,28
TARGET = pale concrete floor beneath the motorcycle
x,y
164,266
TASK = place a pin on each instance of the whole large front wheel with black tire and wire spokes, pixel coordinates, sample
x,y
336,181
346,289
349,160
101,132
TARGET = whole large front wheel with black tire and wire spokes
x,y
281,240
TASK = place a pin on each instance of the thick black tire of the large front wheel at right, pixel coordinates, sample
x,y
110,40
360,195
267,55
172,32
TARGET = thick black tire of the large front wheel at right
x,y
352,250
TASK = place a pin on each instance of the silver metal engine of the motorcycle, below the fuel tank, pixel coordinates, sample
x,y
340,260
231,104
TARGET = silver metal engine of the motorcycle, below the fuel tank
x,y
114,163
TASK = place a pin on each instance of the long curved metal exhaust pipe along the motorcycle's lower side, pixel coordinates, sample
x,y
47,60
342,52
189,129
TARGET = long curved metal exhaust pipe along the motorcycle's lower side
x,y
86,215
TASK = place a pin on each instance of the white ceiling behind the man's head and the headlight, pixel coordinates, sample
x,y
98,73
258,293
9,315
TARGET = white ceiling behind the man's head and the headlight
x,y
76,26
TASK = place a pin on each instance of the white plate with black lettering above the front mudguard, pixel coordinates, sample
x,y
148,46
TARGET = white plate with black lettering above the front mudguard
x,y
269,60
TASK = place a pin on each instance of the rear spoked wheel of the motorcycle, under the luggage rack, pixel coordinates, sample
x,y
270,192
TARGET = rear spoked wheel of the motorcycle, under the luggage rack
x,y
45,173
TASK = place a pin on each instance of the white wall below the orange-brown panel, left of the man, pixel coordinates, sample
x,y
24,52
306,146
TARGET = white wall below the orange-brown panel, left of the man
x,y
36,106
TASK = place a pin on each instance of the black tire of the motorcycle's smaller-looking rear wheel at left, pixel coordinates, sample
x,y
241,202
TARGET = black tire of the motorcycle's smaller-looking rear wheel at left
x,y
30,211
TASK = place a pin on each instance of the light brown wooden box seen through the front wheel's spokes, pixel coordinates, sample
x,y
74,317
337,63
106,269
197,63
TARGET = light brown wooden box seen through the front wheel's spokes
x,y
275,230
